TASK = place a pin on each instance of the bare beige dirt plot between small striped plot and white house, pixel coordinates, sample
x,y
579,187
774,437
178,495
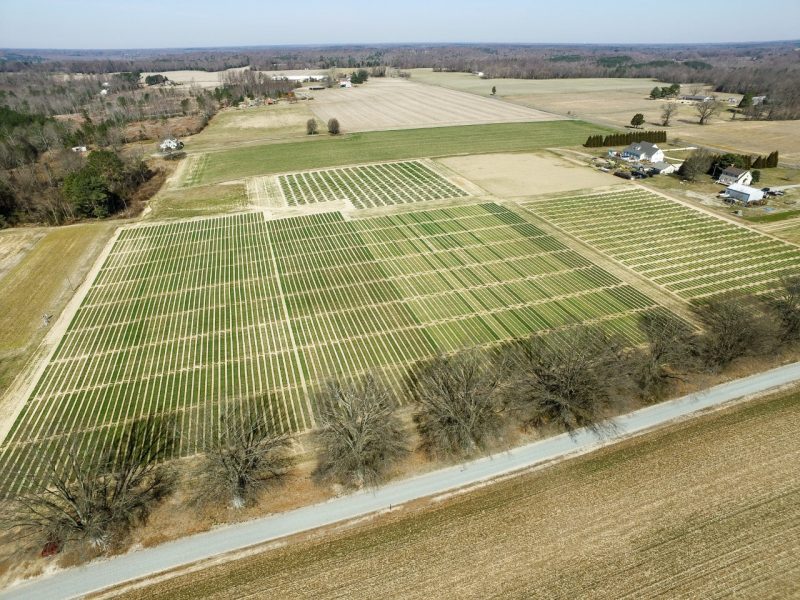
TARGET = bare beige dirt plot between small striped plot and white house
x,y
512,175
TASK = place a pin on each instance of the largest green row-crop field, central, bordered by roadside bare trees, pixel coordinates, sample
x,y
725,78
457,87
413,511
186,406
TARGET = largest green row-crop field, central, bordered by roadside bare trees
x,y
185,315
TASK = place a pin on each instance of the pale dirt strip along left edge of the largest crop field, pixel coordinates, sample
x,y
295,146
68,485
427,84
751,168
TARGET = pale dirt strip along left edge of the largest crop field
x,y
21,390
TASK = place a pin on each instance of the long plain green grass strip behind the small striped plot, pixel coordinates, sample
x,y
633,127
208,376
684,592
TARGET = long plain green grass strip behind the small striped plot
x,y
326,151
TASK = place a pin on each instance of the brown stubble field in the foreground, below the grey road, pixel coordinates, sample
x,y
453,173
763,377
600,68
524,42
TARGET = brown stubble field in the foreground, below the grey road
x,y
704,509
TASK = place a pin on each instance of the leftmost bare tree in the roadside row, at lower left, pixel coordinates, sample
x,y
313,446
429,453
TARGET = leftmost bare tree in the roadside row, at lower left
x,y
97,500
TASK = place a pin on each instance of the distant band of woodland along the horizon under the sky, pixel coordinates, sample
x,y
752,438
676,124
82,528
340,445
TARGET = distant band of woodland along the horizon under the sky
x,y
769,68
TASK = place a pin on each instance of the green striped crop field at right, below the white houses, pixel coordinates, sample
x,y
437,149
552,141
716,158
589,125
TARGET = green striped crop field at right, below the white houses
x,y
689,252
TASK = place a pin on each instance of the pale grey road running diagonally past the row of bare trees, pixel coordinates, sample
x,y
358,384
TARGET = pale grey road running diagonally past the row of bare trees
x,y
142,564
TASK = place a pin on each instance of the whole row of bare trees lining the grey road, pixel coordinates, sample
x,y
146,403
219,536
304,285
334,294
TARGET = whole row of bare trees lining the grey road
x,y
462,404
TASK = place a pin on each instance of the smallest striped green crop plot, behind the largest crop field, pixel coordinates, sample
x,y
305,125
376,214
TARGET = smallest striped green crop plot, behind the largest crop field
x,y
368,186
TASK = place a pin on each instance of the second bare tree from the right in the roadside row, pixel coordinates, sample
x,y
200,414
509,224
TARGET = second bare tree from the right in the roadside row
x,y
735,326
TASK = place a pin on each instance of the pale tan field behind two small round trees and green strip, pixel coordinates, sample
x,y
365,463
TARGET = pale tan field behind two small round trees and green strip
x,y
383,104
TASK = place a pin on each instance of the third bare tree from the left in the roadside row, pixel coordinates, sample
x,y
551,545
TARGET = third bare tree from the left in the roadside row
x,y
360,438
